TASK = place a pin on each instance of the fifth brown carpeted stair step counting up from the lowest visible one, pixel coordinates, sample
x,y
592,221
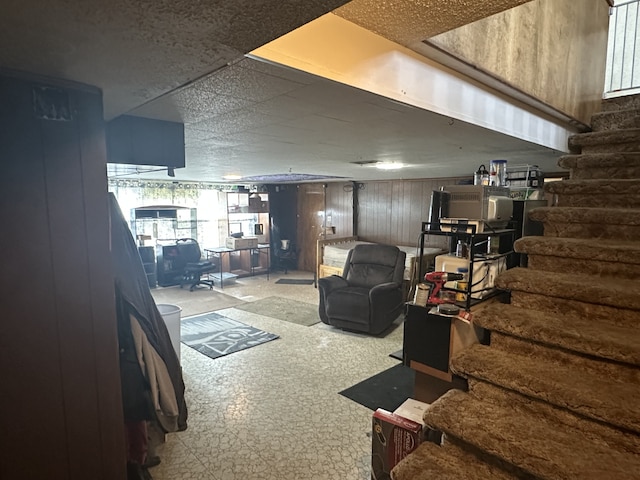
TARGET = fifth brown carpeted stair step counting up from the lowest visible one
x,y
568,286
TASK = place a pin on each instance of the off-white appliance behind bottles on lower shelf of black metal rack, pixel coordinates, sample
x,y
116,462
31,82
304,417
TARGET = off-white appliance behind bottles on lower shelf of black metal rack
x,y
484,274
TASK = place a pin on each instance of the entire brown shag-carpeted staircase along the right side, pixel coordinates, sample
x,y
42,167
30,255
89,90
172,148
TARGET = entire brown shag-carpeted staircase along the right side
x,y
556,394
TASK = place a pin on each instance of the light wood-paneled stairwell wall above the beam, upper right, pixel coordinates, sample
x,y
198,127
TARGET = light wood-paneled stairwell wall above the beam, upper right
x,y
552,50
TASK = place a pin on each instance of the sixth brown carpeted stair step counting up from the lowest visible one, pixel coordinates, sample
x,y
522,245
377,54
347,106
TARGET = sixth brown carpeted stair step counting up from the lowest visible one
x,y
583,256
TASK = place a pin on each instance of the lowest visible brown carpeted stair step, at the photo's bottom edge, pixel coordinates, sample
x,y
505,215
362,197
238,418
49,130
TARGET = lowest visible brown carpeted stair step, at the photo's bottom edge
x,y
448,462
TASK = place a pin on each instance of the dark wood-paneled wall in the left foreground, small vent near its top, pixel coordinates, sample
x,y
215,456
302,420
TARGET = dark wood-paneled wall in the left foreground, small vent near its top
x,y
61,402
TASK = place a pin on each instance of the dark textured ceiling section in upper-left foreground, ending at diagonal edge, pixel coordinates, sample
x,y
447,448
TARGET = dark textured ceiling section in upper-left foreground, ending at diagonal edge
x,y
135,51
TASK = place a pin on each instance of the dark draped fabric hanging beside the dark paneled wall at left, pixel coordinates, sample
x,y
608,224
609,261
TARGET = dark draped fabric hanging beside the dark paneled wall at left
x,y
153,388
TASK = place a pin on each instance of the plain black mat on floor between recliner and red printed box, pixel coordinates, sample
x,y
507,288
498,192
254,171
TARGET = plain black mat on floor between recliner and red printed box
x,y
387,390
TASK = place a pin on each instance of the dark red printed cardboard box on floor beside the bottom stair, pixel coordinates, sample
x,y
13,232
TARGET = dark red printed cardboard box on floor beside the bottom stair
x,y
393,438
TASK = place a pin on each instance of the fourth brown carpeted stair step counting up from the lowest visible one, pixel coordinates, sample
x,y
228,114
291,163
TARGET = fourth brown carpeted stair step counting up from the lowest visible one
x,y
582,335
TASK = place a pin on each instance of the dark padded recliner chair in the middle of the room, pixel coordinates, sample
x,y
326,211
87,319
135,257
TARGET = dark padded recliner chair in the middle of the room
x,y
368,296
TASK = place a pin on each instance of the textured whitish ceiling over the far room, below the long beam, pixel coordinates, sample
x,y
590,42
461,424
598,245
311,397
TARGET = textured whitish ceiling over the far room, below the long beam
x,y
255,118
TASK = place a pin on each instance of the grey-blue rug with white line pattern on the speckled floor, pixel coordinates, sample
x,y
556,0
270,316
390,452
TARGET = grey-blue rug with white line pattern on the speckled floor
x,y
215,335
